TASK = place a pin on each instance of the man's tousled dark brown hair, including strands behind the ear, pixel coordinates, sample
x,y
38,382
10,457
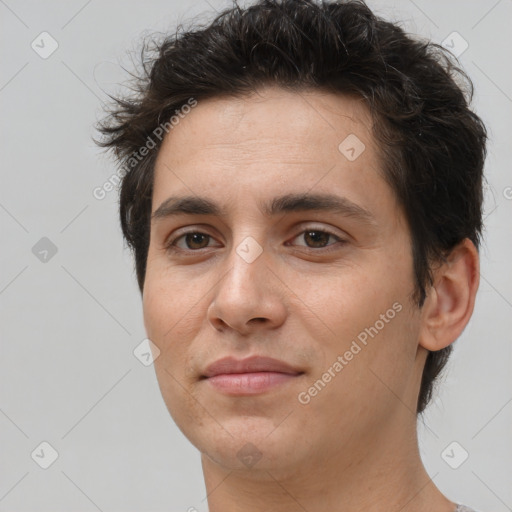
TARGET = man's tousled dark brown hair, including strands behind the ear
x,y
432,145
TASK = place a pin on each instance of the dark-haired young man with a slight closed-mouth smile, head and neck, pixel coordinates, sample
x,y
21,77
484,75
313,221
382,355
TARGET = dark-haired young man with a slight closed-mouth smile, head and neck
x,y
303,193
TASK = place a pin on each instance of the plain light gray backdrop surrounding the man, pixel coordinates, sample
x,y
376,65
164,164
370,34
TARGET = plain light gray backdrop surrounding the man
x,y
69,324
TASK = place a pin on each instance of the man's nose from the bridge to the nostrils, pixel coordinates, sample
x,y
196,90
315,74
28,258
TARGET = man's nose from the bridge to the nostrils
x,y
249,296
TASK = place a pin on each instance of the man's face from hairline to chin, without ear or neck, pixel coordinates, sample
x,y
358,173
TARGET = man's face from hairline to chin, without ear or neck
x,y
249,267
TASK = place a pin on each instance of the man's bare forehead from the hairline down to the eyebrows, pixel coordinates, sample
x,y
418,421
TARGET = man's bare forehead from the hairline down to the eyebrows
x,y
272,141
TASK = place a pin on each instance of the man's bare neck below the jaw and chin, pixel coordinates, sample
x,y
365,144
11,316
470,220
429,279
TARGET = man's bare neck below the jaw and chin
x,y
383,471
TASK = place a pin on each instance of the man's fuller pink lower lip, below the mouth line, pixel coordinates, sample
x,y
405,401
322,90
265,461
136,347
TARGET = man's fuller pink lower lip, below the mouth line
x,y
249,383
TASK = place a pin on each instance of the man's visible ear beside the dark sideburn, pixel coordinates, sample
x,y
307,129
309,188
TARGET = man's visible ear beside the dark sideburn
x,y
450,301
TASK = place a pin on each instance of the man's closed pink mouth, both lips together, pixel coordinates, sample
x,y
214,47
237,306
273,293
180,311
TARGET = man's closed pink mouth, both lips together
x,y
249,376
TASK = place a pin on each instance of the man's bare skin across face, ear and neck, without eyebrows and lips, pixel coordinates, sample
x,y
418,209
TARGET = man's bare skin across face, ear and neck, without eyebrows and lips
x,y
354,445
